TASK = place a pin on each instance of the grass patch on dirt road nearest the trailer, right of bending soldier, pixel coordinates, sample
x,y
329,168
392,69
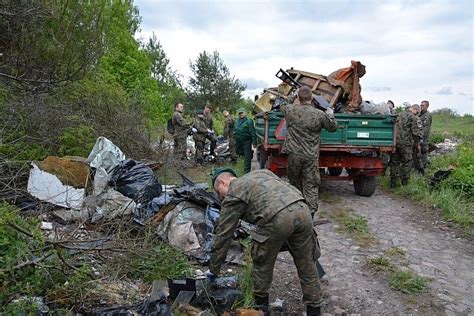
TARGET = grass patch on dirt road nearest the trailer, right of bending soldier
x,y
355,225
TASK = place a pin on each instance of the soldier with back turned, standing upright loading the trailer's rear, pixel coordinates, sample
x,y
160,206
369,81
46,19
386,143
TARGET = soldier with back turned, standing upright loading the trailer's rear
x,y
304,123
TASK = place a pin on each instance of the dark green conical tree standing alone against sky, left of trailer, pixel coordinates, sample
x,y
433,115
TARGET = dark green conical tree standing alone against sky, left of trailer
x,y
212,83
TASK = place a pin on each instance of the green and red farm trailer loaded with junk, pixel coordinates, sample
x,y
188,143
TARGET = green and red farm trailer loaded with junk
x,y
357,146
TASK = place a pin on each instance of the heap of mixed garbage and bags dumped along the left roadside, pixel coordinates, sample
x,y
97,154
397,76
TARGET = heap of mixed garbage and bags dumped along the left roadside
x,y
108,186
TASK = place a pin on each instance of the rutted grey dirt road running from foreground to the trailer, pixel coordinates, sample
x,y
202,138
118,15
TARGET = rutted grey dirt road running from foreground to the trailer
x,y
428,246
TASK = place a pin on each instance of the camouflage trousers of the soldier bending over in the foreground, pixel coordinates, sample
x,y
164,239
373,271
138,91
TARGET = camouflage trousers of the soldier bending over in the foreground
x,y
291,226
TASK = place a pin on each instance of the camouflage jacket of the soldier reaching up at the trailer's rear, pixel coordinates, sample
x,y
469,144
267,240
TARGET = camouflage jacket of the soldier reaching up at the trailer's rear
x,y
303,126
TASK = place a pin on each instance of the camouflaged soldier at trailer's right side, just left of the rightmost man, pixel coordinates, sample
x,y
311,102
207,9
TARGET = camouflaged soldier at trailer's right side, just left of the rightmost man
x,y
409,133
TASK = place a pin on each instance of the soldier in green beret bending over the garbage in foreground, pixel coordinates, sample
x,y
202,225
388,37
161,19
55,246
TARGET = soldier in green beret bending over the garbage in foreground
x,y
281,217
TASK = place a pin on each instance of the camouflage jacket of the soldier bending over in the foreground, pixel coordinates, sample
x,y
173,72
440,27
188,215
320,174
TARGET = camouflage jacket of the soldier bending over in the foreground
x,y
256,198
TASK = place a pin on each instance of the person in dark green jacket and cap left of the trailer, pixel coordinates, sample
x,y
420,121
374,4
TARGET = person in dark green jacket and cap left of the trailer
x,y
245,137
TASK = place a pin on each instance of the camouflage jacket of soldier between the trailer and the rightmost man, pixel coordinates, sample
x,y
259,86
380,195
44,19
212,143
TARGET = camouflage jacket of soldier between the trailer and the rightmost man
x,y
409,129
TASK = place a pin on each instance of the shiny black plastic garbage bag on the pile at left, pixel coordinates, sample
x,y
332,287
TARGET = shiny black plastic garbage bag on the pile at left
x,y
135,180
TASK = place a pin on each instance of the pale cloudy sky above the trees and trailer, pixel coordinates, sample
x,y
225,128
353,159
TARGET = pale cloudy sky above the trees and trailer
x,y
412,50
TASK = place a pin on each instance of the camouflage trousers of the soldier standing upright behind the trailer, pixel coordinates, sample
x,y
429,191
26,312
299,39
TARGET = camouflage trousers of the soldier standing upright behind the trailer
x,y
303,173
